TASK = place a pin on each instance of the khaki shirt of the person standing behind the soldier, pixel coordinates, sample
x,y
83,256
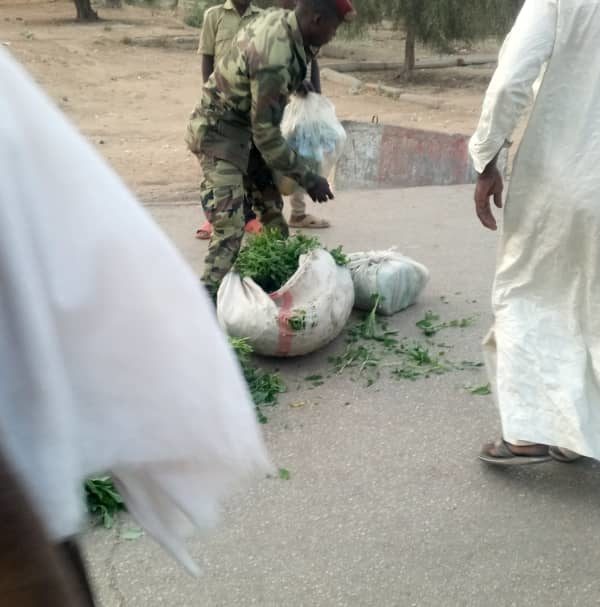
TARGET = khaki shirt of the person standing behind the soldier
x,y
221,24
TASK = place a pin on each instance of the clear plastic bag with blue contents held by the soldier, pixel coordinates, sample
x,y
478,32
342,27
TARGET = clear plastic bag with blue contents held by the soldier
x,y
313,130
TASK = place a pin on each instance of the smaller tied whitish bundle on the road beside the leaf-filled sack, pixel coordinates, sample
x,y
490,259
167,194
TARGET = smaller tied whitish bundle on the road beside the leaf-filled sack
x,y
398,280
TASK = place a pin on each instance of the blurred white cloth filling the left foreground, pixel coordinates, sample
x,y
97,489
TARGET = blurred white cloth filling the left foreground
x,y
110,355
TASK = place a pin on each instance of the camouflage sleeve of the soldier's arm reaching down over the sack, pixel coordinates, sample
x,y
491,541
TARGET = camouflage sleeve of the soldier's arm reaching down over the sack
x,y
270,88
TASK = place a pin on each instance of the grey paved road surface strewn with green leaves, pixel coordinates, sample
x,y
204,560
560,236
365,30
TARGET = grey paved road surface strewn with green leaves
x,y
387,504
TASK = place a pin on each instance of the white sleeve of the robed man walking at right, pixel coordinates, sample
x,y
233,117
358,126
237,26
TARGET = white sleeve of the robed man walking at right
x,y
525,51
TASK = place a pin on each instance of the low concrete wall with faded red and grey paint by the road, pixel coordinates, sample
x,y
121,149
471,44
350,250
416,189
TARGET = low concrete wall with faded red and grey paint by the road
x,y
379,156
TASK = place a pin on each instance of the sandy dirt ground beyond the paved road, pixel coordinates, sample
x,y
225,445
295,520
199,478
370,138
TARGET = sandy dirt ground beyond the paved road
x,y
133,101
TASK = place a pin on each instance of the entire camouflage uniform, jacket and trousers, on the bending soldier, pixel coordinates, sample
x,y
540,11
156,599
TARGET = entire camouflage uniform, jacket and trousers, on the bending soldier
x,y
235,131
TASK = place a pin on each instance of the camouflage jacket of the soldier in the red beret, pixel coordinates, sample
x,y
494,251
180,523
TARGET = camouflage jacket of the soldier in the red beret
x,y
243,101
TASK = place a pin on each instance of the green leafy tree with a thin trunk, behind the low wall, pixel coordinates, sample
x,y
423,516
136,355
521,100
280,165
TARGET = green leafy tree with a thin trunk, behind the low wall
x,y
439,22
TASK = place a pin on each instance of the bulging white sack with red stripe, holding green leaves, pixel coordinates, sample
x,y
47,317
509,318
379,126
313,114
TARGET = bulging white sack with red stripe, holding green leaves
x,y
308,312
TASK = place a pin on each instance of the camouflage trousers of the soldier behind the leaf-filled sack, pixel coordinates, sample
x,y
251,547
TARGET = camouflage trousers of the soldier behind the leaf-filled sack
x,y
225,191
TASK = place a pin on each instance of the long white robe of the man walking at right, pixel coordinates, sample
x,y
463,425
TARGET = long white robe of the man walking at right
x,y
544,350
